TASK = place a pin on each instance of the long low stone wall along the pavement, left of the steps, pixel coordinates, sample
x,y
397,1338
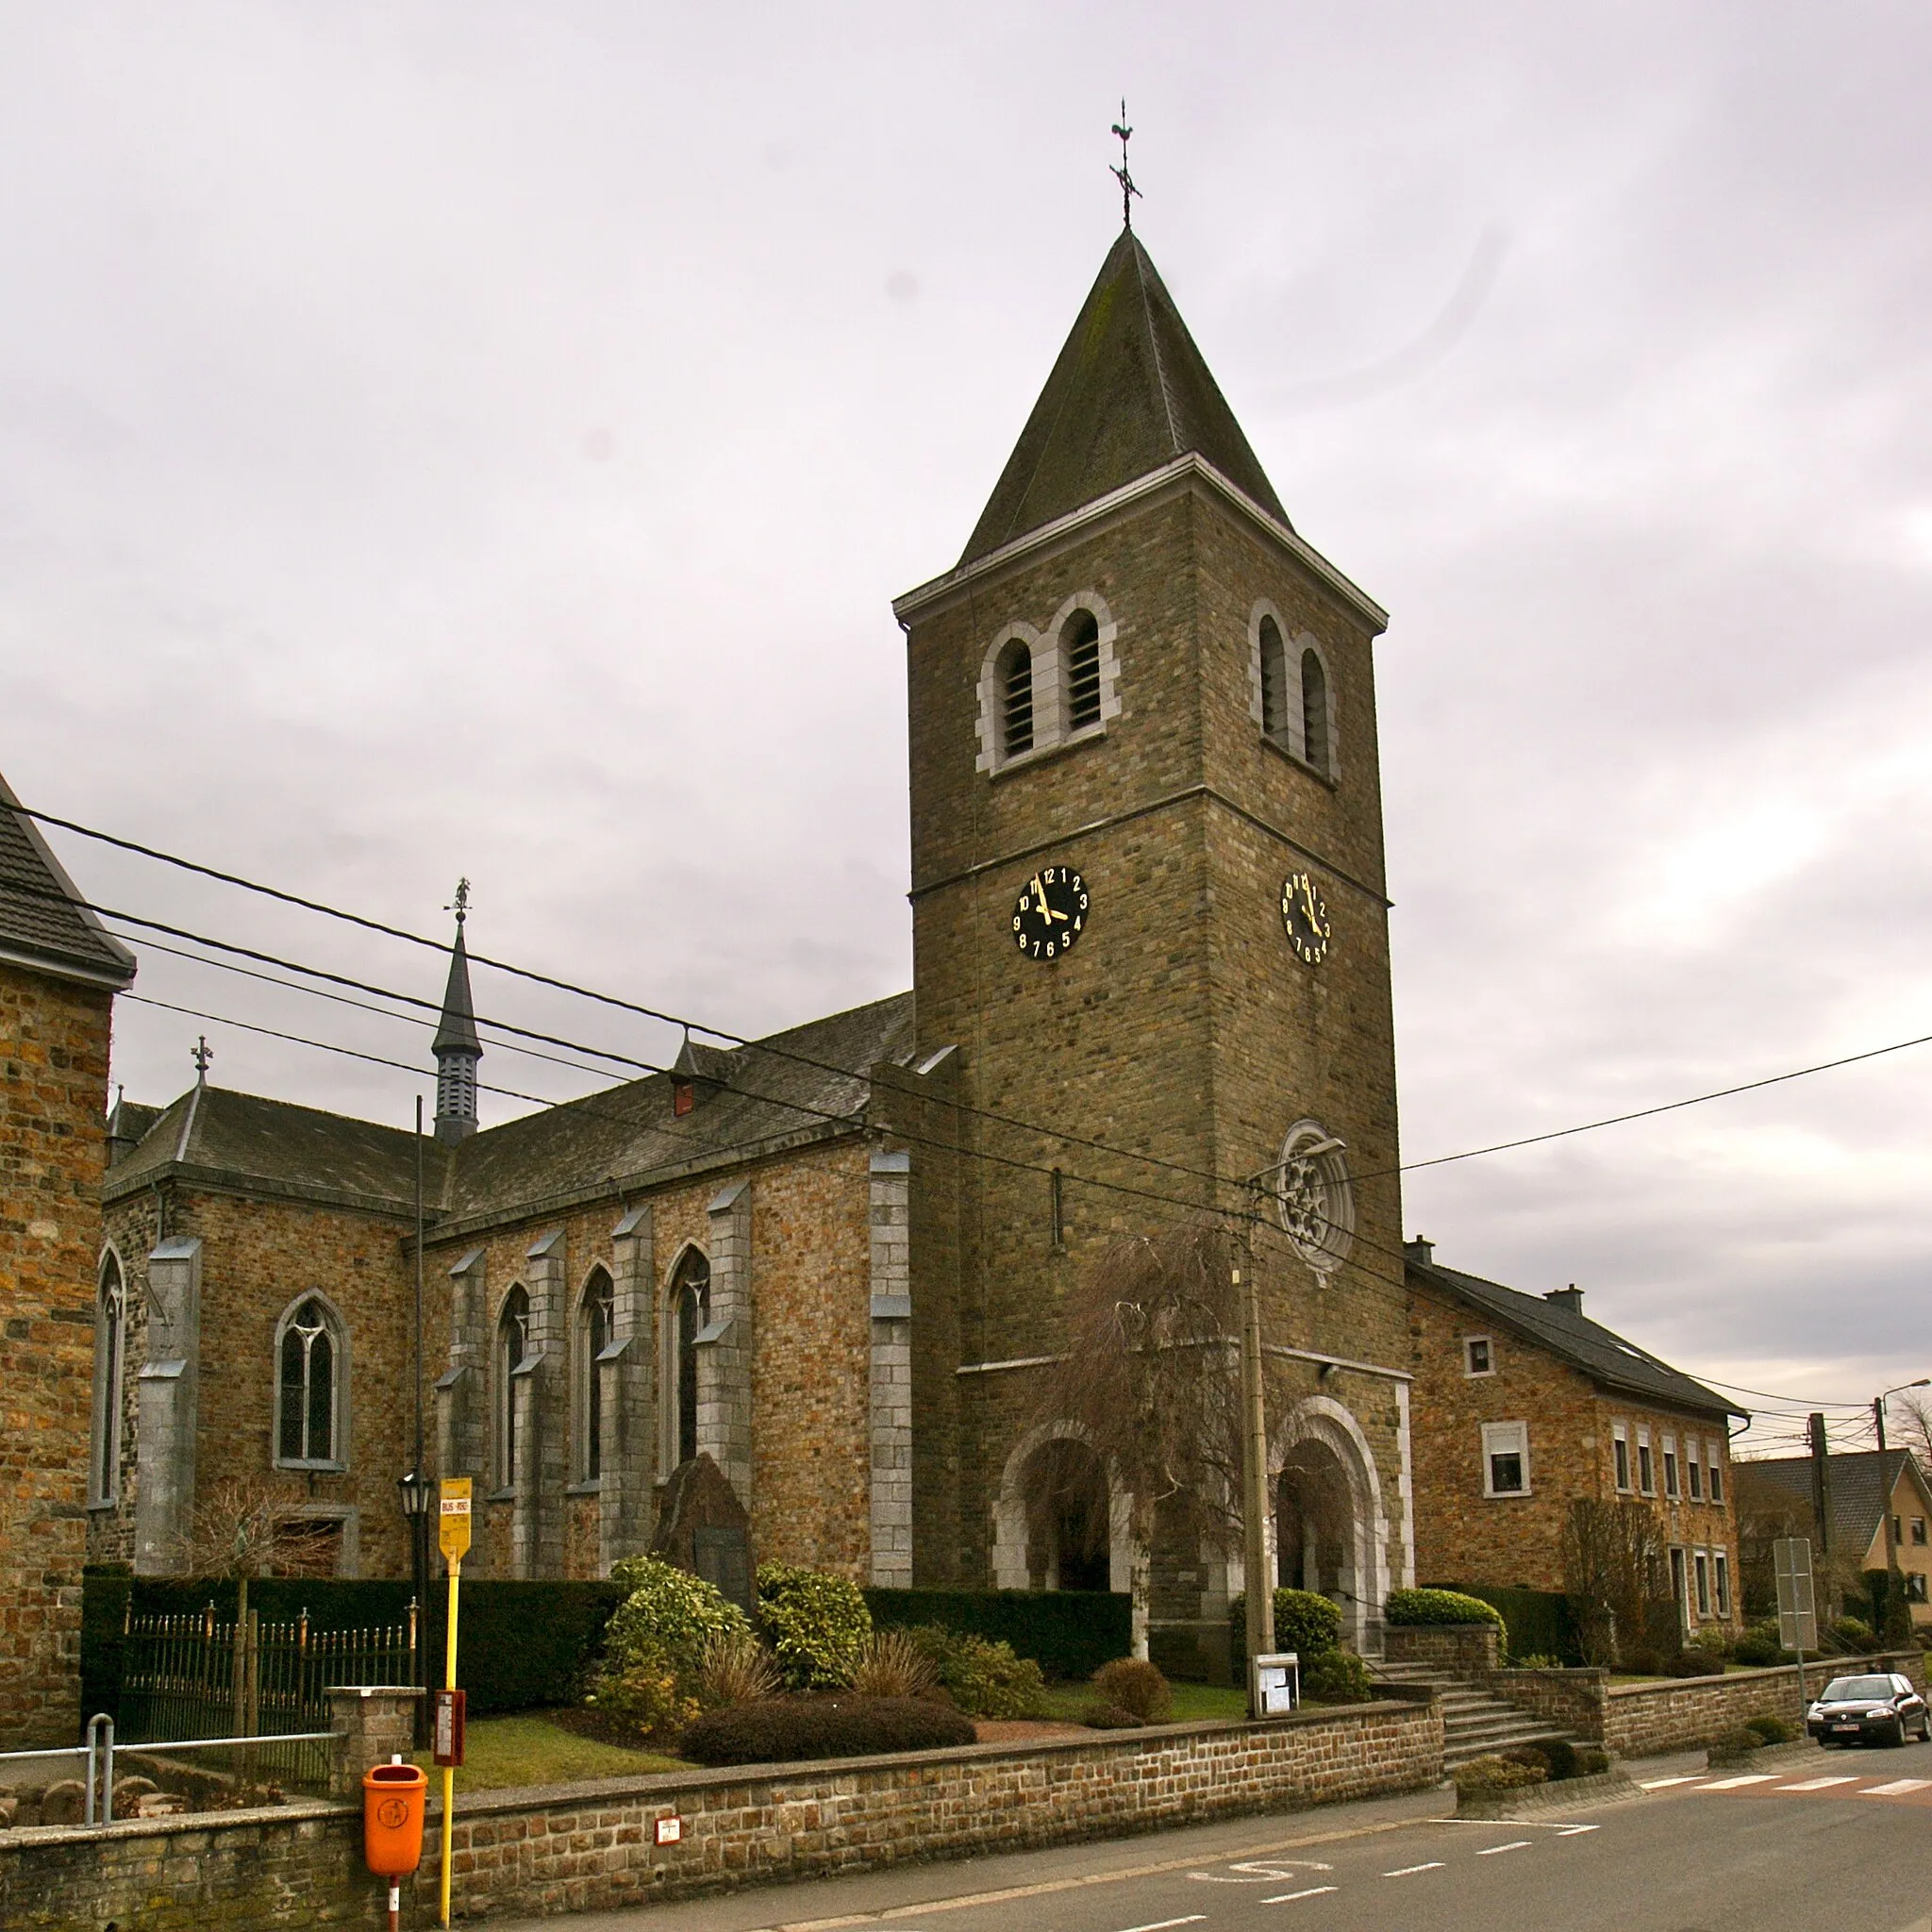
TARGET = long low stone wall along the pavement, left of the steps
x,y
575,1848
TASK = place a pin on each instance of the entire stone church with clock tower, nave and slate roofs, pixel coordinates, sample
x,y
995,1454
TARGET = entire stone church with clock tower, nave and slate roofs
x,y
1151,986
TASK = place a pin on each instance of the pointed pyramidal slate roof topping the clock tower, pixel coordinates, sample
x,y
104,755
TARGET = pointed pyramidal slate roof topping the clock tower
x,y
1127,395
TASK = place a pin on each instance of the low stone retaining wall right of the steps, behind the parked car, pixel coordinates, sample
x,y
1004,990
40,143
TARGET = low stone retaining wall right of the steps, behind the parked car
x,y
1678,1713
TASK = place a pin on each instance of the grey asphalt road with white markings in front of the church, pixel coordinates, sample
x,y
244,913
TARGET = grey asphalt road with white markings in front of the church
x,y
1819,1848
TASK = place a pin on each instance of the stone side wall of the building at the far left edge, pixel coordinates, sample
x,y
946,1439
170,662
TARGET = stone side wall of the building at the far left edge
x,y
53,1151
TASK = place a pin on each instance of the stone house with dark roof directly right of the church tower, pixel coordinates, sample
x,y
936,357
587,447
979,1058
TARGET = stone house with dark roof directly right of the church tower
x,y
1521,1407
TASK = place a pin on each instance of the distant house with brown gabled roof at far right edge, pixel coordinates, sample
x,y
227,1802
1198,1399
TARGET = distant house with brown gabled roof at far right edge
x,y
1780,1496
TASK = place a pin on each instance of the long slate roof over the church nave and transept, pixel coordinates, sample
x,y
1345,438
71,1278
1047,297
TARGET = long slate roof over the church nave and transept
x,y
751,1096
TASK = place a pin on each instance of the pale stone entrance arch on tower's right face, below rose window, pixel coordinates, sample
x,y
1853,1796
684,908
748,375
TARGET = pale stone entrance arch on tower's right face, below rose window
x,y
1328,1521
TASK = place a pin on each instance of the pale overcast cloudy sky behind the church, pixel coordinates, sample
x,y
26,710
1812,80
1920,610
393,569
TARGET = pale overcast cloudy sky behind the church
x,y
486,440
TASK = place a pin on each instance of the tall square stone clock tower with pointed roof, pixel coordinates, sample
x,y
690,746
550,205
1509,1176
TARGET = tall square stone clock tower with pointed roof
x,y
1149,913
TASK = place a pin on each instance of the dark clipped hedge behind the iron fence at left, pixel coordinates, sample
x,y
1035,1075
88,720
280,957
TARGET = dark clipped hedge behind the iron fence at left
x,y
521,1647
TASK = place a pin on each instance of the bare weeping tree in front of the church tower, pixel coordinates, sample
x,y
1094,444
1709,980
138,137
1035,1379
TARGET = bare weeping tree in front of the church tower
x,y
1151,1384
